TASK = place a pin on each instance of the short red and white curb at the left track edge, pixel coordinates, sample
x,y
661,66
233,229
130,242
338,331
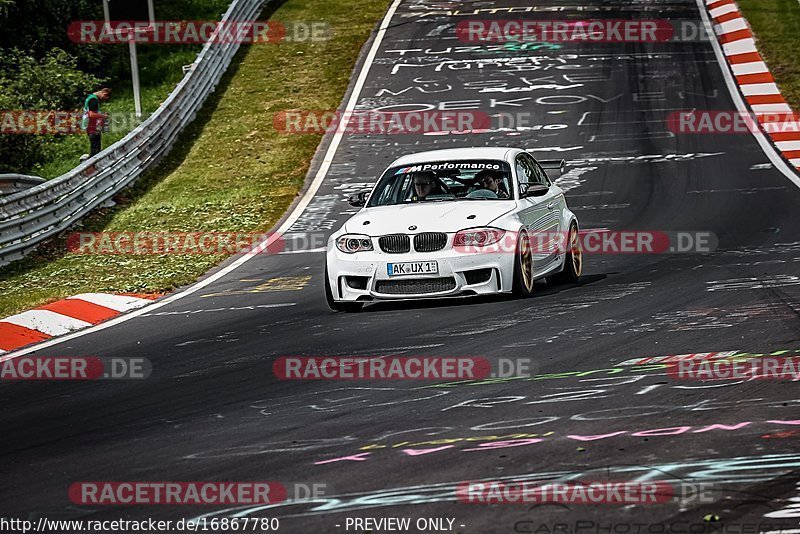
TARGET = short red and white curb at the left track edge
x,y
64,316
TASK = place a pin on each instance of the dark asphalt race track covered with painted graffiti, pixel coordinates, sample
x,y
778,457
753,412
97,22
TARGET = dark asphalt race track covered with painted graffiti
x,y
213,410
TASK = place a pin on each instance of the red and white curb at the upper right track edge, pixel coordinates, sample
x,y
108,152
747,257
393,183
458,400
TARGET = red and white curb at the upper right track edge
x,y
754,79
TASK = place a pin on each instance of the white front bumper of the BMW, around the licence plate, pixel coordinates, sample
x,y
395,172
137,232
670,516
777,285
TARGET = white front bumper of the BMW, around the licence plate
x,y
364,276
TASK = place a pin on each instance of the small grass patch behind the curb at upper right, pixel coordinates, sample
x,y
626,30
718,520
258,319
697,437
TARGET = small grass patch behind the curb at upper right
x,y
776,24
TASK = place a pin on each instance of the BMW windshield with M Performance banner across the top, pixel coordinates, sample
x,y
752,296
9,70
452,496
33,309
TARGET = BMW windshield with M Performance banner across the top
x,y
442,181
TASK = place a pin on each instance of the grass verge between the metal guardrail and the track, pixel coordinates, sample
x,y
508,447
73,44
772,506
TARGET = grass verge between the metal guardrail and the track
x,y
230,171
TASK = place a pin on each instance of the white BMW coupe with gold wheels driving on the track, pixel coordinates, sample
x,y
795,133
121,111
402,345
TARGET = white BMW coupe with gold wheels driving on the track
x,y
467,221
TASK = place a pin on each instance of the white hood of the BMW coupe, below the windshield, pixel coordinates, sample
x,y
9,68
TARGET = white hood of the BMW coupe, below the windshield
x,y
448,216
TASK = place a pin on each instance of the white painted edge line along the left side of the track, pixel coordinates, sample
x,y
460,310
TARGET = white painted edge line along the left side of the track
x,y
296,213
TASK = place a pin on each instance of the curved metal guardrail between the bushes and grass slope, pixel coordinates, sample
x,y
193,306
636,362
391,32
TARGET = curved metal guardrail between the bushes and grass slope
x,y
29,217
